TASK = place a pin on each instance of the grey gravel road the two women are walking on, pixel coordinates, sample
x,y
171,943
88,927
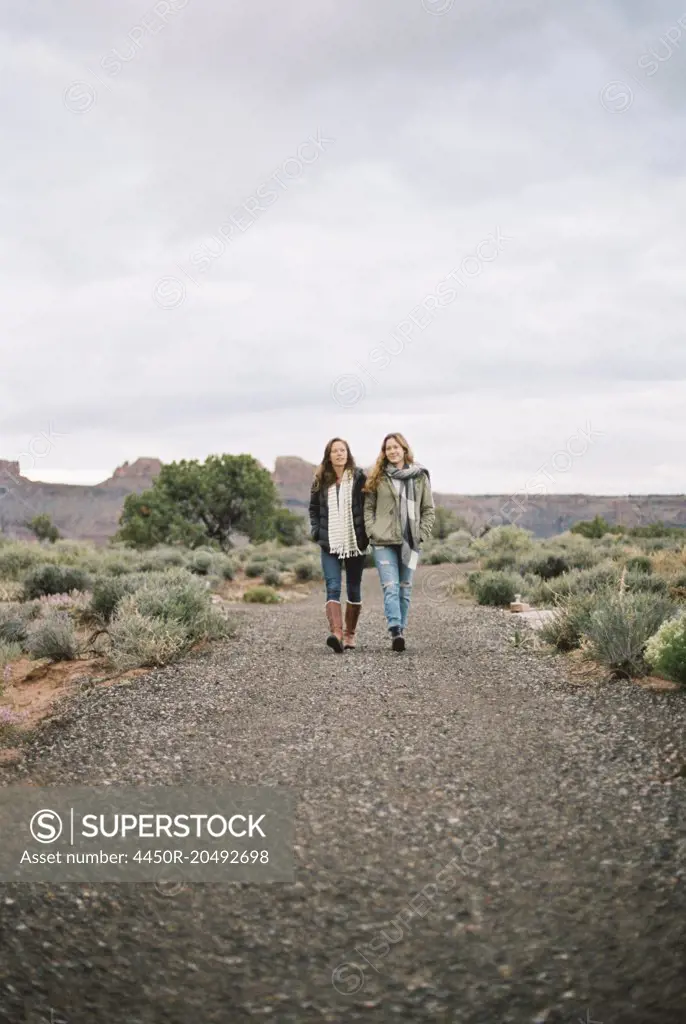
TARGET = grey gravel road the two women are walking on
x,y
566,897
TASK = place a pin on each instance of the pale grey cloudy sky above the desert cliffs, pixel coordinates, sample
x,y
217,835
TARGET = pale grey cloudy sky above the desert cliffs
x,y
252,227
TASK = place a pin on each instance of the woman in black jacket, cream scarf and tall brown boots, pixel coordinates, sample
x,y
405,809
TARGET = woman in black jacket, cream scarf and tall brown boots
x,y
337,522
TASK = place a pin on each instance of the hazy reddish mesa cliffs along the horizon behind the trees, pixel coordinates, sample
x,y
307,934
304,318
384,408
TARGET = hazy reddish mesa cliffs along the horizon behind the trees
x,y
93,513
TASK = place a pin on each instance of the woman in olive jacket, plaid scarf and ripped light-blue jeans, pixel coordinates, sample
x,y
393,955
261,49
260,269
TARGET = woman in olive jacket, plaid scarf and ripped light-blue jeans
x,y
399,517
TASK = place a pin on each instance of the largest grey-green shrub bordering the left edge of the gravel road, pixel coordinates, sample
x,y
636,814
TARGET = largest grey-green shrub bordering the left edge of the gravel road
x,y
164,617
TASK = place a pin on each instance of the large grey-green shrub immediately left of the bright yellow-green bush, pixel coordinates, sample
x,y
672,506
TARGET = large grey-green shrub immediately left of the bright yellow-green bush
x,y
620,627
